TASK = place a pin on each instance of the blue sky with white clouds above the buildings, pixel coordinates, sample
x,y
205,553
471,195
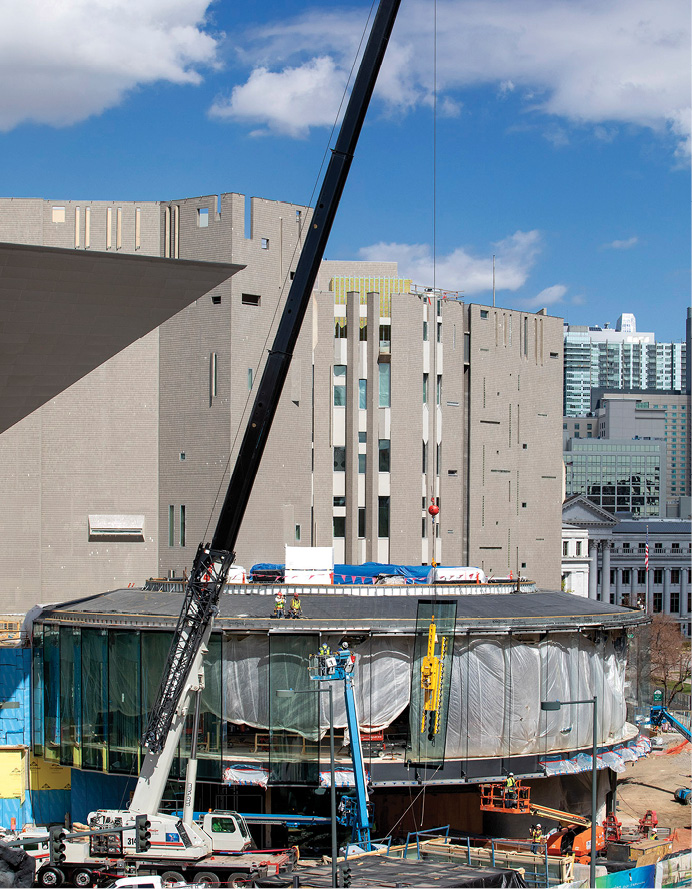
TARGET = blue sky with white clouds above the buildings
x,y
563,132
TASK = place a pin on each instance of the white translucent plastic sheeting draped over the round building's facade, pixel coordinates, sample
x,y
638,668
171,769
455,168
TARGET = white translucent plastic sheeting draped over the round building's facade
x,y
497,685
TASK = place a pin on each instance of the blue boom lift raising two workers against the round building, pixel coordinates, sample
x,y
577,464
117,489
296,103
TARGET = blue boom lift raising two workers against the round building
x,y
354,810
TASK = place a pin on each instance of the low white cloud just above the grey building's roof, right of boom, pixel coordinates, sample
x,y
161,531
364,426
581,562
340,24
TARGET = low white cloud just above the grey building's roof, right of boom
x,y
461,269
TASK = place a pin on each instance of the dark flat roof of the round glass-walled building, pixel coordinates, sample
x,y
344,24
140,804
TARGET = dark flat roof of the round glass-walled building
x,y
249,608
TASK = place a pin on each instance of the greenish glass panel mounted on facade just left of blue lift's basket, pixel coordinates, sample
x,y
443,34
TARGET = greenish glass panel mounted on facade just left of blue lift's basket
x,y
294,729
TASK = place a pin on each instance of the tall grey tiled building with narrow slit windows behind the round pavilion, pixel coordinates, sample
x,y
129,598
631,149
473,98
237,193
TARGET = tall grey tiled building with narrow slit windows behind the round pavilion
x,y
473,418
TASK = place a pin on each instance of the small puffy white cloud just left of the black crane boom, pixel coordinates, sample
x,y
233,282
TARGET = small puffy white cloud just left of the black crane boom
x,y
290,101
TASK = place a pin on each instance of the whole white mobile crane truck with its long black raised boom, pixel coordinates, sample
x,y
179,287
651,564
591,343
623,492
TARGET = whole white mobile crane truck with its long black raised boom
x,y
165,839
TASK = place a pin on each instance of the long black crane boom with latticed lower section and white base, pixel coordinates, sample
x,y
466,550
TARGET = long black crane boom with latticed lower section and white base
x,y
212,562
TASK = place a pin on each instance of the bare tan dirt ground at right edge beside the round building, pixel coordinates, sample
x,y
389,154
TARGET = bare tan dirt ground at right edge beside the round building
x,y
650,783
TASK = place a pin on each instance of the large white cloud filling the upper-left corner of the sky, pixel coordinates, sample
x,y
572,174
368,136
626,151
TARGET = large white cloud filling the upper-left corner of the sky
x,y
63,61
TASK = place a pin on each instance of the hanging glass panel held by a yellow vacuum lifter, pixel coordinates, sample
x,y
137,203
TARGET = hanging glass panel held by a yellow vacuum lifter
x,y
430,681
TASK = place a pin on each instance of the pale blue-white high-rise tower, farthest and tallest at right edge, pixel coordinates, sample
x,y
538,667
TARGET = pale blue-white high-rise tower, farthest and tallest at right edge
x,y
619,358
